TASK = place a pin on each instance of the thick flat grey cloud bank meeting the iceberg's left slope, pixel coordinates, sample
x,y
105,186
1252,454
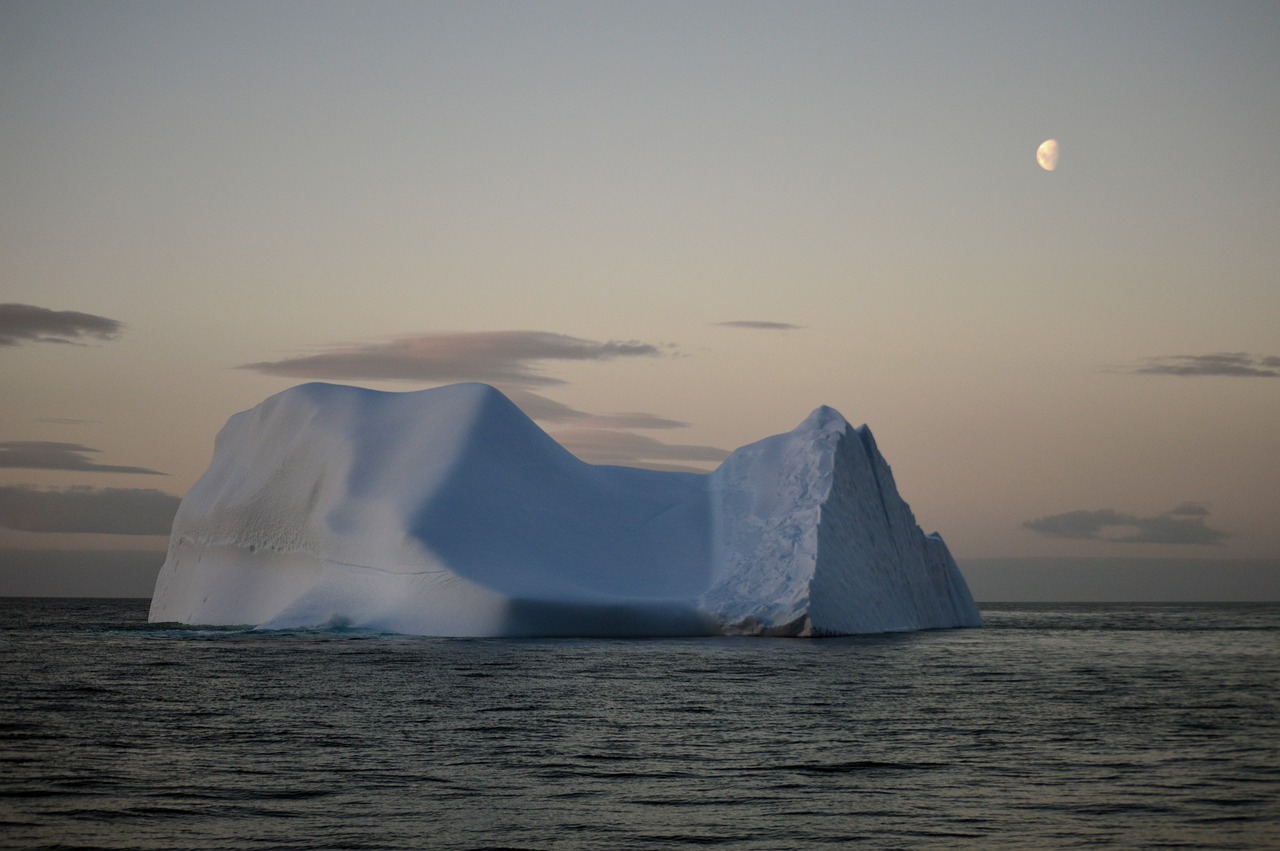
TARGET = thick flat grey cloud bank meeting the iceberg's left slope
x,y
115,511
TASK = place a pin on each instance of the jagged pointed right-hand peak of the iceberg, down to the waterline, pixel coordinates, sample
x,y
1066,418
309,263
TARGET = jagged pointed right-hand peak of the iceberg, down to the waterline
x,y
812,538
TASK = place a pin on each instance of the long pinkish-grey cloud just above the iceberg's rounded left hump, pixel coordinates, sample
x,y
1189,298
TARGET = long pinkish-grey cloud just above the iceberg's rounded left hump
x,y
499,358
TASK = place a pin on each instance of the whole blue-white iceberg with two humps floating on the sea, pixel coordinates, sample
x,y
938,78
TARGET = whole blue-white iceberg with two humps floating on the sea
x,y
450,513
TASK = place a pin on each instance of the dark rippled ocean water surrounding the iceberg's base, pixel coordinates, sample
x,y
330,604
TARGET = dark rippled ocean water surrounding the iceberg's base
x,y
1055,726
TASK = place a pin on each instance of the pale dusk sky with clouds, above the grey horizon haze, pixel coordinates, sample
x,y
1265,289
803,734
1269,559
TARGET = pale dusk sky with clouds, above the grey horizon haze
x,y
666,230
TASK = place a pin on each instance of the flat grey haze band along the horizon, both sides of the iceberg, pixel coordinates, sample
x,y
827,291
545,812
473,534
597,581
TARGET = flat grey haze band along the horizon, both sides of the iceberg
x,y
131,574
